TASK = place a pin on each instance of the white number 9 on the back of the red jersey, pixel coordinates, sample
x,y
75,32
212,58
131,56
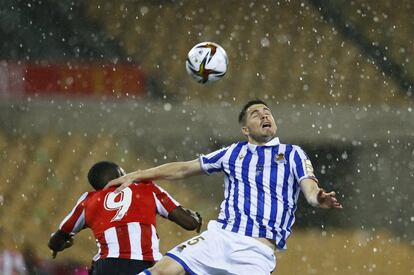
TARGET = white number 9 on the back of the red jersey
x,y
120,202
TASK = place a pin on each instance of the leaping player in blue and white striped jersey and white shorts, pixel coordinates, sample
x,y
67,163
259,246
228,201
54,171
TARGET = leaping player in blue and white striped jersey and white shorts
x,y
263,178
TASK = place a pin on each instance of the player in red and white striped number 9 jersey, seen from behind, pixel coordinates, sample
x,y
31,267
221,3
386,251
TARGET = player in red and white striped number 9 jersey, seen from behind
x,y
124,223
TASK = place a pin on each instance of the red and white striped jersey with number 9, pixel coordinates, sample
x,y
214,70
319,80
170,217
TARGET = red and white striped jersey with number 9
x,y
124,224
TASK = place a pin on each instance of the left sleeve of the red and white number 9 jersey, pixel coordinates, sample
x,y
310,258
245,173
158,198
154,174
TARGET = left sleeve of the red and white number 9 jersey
x,y
75,220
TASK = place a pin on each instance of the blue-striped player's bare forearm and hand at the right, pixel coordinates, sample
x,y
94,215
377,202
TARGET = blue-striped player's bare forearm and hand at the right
x,y
317,196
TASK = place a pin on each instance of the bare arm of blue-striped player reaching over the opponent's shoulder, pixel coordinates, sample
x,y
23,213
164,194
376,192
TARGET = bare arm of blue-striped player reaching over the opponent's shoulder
x,y
168,171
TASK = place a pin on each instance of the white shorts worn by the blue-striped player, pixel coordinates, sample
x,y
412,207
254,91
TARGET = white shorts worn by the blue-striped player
x,y
217,251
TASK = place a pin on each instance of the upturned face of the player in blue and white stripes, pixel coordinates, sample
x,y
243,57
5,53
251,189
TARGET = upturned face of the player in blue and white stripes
x,y
260,126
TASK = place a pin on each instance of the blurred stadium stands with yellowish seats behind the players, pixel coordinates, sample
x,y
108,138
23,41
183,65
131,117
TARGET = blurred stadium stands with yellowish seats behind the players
x,y
82,81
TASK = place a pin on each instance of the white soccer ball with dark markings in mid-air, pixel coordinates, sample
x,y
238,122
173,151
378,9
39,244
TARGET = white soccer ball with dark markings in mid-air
x,y
206,62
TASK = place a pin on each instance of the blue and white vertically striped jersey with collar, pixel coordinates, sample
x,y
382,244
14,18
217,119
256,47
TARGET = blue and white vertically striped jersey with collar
x,y
261,187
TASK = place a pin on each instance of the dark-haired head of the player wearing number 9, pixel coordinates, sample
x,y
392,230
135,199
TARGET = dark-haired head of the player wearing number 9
x,y
102,172
